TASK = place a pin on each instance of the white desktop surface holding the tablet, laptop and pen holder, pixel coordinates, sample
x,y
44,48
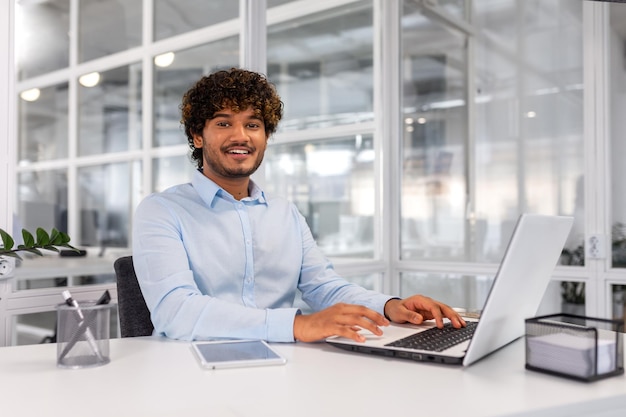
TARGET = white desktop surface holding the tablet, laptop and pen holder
x,y
157,377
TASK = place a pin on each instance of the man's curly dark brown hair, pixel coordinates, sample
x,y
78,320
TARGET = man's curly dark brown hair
x,y
237,89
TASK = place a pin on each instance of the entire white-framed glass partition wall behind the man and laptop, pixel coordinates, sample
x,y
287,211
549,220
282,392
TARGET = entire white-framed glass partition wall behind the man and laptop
x,y
503,107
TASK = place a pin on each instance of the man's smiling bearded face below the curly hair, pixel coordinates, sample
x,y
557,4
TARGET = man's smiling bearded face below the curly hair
x,y
233,145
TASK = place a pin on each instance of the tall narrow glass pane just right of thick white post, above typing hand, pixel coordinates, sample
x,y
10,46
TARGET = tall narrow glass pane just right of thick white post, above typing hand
x,y
434,139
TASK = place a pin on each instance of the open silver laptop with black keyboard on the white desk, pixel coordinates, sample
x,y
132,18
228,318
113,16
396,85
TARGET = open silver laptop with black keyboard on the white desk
x,y
517,291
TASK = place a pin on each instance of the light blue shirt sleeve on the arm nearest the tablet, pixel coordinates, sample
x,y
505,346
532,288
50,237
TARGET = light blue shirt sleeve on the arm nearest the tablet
x,y
178,308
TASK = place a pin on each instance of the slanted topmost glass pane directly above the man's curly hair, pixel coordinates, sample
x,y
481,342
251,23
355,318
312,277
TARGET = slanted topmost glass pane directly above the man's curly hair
x,y
173,17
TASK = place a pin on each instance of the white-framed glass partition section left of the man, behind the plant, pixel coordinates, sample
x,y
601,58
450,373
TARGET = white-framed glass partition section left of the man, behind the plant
x,y
99,129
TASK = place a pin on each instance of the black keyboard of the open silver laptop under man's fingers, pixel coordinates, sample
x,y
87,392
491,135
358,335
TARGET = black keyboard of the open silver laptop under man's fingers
x,y
435,339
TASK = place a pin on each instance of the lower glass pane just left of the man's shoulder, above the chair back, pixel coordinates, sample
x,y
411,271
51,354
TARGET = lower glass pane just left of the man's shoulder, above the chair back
x,y
107,197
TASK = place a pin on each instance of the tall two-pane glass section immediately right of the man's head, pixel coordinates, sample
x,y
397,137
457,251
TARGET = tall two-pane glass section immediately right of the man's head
x,y
323,156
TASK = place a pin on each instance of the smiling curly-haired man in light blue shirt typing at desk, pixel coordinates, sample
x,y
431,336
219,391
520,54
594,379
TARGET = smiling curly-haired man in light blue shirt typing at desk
x,y
217,258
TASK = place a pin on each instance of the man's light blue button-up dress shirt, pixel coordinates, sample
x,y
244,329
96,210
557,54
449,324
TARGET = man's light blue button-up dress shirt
x,y
210,266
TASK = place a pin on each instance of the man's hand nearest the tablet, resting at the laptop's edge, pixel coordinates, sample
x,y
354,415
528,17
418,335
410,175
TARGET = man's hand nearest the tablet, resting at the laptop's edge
x,y
343,320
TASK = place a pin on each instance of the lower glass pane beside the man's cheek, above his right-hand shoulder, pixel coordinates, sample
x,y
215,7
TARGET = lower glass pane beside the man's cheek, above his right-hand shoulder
x,y
332,184
